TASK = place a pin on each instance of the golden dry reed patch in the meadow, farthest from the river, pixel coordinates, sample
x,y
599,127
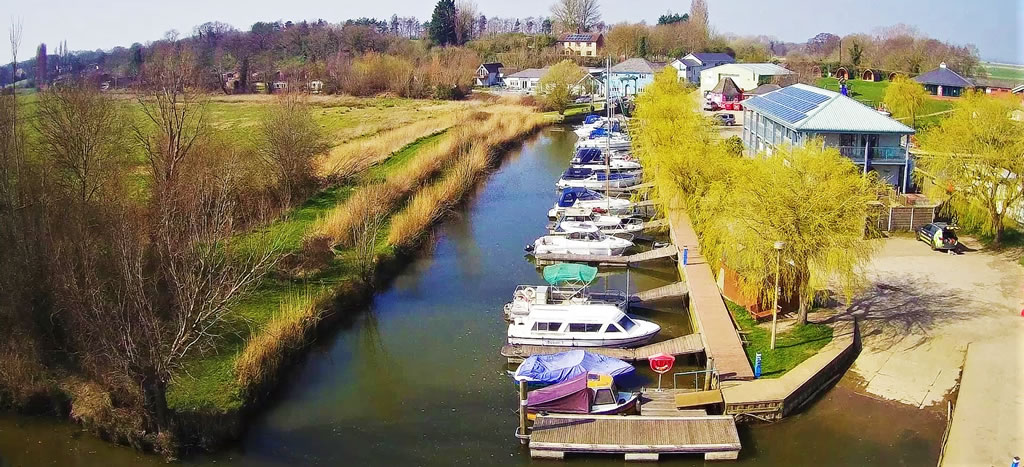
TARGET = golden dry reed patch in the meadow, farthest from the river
x,y
353,158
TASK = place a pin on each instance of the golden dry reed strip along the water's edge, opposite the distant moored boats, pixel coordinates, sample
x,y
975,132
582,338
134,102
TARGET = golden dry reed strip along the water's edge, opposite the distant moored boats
x,y
431,204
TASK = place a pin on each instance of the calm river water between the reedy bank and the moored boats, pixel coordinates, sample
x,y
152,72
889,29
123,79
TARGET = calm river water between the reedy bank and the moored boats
x,y
418,379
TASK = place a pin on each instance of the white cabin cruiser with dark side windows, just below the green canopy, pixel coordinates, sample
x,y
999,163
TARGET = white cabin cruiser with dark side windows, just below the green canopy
x,y
580,326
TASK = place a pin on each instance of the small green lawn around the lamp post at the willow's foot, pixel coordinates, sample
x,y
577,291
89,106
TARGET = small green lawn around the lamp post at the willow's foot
x,y
792,348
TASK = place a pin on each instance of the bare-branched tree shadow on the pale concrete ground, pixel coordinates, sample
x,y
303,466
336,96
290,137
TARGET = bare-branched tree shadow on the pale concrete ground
x,y
902,309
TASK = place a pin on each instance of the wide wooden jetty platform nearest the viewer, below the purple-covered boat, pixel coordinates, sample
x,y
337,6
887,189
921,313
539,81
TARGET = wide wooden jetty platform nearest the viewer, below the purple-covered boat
x,y
641,439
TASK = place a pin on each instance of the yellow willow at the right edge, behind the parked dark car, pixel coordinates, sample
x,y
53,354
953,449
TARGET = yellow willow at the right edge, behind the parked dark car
x,y
974,160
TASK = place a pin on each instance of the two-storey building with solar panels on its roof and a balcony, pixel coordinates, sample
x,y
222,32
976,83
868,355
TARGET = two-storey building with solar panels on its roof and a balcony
x,y
797,114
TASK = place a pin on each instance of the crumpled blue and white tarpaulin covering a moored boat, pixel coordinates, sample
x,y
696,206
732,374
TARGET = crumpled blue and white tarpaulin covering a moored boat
x,y
563,367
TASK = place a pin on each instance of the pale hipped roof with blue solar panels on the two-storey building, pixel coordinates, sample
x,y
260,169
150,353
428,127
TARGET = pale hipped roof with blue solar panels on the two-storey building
x,y
804,108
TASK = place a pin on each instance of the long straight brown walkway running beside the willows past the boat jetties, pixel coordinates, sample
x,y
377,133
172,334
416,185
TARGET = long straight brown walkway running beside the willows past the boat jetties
x,y
712,318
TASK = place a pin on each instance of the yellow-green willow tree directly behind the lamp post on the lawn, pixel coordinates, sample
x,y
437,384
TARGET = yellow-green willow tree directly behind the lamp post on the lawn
x,y
813,200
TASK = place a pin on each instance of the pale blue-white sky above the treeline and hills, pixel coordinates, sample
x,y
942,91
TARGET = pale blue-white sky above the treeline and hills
x,y
994,26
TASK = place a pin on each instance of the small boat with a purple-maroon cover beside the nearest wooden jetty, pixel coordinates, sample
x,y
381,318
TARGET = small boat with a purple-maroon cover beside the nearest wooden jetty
x,y
586,394
